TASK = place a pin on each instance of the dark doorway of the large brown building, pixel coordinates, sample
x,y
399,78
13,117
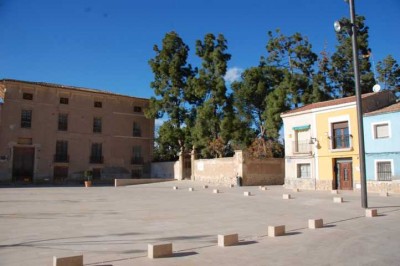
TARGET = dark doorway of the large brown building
x,y
23,162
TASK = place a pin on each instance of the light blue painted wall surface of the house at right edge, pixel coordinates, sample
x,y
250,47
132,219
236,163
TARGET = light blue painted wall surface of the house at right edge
x,y
382,149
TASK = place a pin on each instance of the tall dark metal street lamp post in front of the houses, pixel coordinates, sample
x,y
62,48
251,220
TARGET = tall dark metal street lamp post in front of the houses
x,y
353,32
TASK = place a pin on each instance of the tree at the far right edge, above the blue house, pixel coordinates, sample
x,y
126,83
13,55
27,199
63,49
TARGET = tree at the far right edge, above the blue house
x,y
389,74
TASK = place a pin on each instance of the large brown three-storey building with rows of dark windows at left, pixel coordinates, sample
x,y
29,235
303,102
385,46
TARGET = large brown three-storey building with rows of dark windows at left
x,y
51,132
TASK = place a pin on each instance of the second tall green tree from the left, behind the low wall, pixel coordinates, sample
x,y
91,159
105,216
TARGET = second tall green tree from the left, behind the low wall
x,y
210,90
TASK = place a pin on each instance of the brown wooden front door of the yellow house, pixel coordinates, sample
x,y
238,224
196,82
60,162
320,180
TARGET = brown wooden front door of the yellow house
x,y
344,174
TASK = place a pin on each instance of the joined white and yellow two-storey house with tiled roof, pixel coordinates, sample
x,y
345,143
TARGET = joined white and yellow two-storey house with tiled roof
x,y
332,160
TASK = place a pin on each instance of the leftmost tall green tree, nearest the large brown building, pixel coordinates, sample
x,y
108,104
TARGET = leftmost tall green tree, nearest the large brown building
x,y
171,77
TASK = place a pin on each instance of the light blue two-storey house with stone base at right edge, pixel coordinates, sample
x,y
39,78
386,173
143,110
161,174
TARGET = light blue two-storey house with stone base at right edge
x,y
382,147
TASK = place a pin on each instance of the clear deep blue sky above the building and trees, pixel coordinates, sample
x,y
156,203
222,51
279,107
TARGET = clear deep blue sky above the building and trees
x,y
107,44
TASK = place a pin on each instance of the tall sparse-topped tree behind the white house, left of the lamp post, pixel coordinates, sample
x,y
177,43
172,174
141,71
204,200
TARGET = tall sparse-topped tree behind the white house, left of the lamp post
x,y
293,55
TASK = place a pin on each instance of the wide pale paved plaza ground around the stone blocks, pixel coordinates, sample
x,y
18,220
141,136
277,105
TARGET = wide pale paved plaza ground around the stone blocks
x,y
112,226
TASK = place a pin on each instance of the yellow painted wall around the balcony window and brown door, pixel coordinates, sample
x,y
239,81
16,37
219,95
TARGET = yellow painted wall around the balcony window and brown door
x,y
325,155
